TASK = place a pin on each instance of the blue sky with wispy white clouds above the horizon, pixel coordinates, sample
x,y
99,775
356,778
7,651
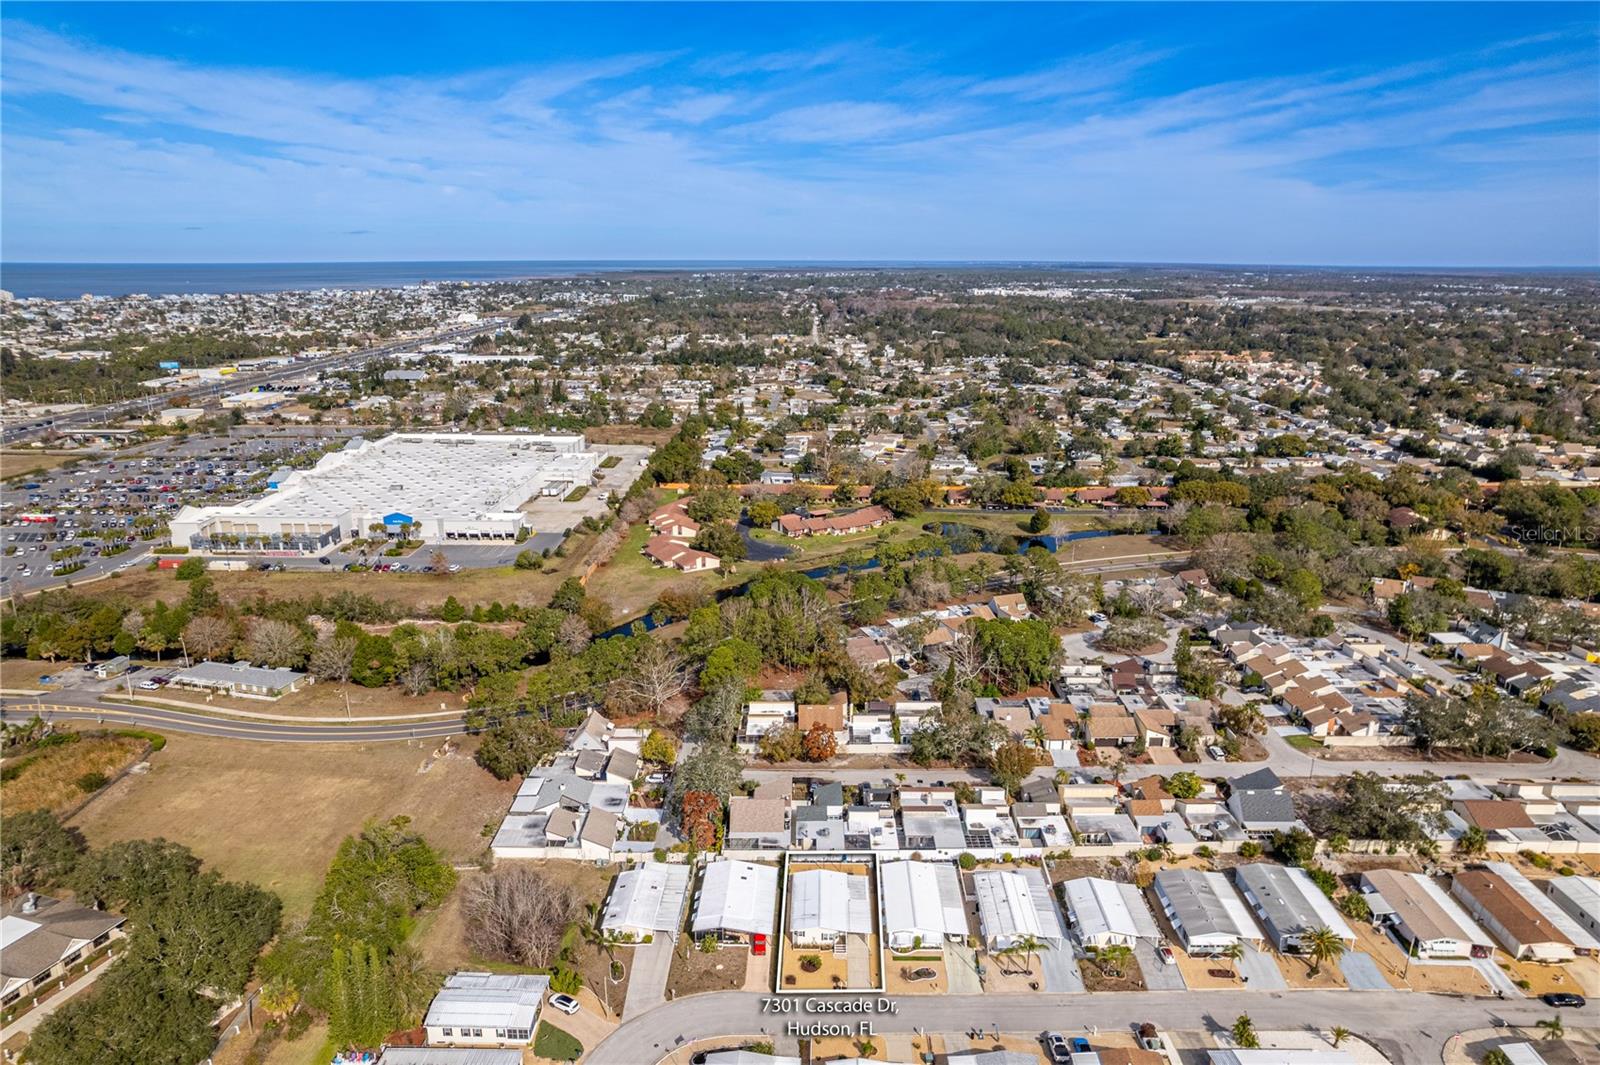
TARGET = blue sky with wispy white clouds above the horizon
x,y
1372,134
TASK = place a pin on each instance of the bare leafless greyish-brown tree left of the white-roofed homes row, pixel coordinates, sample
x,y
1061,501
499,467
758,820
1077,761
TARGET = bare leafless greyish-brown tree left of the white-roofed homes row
x,y
519,915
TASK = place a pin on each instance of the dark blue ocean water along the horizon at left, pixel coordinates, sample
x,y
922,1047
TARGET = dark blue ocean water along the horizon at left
x,y
70,281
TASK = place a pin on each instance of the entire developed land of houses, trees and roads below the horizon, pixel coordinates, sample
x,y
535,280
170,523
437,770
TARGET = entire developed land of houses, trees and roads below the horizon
x,y
754,668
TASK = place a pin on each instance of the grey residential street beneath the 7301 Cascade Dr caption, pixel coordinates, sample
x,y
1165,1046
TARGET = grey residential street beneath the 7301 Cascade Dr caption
x,y
1409,1027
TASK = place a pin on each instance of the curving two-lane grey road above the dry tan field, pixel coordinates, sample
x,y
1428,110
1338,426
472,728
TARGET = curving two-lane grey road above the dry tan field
x,y
68,708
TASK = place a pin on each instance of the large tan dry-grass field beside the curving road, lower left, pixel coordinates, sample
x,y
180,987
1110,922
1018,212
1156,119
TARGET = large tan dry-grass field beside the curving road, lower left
x,y
276,813
